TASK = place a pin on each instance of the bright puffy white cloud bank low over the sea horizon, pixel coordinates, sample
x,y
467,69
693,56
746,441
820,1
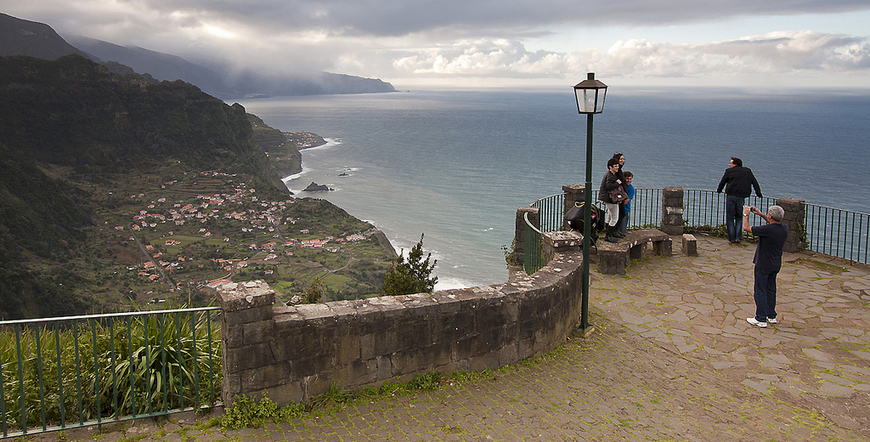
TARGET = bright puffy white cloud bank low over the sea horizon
x,y
773,53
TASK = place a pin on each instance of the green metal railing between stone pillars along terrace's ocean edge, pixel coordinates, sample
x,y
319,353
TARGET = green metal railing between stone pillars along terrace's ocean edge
x,y
835,232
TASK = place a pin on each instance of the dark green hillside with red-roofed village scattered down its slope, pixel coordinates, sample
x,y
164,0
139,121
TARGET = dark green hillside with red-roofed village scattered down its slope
x,y
116,191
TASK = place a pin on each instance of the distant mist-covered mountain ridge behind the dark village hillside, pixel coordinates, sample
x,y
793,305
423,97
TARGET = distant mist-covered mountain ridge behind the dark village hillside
x,y
22,37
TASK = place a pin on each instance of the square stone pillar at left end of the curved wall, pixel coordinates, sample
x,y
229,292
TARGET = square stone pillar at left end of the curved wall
x,y
247,326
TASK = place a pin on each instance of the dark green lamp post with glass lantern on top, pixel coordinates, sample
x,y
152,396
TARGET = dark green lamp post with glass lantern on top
x,y
590,94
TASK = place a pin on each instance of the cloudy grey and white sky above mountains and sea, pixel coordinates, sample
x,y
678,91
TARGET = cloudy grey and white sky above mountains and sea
x,y
495,43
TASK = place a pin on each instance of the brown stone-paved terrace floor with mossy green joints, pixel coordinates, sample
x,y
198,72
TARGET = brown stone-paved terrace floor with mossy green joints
x,y
671,357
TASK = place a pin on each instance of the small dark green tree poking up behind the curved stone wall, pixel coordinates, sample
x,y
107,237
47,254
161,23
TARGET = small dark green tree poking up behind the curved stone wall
x,y
413,276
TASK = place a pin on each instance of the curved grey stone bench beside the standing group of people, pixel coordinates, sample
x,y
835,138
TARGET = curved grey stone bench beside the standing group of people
x,y
614,257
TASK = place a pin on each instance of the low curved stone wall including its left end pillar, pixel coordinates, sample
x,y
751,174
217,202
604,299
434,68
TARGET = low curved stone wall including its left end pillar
x,y
294,353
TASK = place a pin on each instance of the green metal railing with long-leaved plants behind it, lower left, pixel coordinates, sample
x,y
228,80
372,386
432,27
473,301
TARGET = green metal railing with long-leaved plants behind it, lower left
x,y
58,373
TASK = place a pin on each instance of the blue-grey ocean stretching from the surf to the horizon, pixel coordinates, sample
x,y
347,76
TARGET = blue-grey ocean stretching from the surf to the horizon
x,y
454,165
